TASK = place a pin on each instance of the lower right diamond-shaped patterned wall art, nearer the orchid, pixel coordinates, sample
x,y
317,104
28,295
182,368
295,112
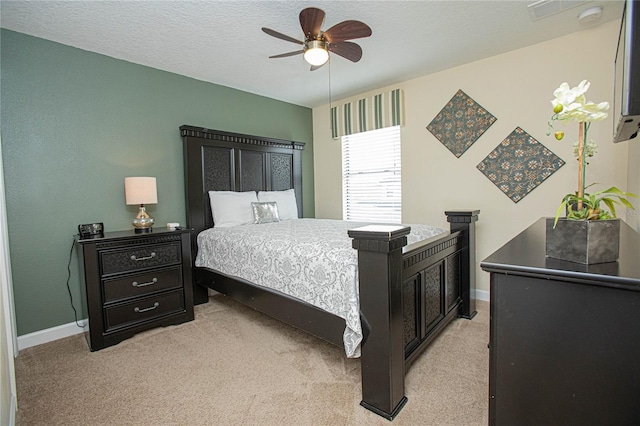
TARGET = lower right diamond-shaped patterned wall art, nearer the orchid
x,y
519,164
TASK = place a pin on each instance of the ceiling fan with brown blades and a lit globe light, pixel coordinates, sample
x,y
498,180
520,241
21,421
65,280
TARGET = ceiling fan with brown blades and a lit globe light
x,y
317,43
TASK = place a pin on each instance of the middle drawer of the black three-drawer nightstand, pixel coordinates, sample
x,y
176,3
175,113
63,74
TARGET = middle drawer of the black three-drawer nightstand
x,y
142,284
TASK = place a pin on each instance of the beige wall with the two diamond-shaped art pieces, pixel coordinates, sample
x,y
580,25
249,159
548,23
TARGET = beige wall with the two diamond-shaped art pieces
x,y
515,87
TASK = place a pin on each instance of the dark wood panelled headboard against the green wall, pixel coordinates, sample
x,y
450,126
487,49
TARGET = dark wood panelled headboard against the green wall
x,y
223,161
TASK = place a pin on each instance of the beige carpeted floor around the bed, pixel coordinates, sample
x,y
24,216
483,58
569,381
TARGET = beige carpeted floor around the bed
x,y
234,366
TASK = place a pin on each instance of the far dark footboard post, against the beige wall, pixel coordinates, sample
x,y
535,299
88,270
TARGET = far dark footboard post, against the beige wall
x,y
465,221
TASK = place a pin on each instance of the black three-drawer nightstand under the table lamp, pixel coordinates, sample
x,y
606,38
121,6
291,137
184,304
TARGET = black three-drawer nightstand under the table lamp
x,y
134,282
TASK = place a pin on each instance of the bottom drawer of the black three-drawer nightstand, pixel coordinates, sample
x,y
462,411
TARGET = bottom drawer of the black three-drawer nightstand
x,y
143,309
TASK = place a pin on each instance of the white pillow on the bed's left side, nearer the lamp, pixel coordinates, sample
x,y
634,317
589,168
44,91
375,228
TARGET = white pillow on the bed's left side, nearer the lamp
x,y
230,208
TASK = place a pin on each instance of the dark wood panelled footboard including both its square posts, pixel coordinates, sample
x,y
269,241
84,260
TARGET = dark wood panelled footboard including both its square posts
x,y
407,297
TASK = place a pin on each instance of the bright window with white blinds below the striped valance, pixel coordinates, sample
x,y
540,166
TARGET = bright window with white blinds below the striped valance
x,y
371,188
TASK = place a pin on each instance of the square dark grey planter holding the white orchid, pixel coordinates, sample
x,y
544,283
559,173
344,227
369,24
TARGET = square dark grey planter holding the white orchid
x,y
583,241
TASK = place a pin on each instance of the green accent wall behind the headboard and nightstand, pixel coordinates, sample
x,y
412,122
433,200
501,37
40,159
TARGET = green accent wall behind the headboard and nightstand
x,y
74,125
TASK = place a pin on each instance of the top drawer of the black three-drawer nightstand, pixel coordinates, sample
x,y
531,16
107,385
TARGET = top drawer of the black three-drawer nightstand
x,y
139,257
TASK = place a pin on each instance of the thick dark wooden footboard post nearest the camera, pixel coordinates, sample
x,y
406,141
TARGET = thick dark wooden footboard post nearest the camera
x,y
380,276
